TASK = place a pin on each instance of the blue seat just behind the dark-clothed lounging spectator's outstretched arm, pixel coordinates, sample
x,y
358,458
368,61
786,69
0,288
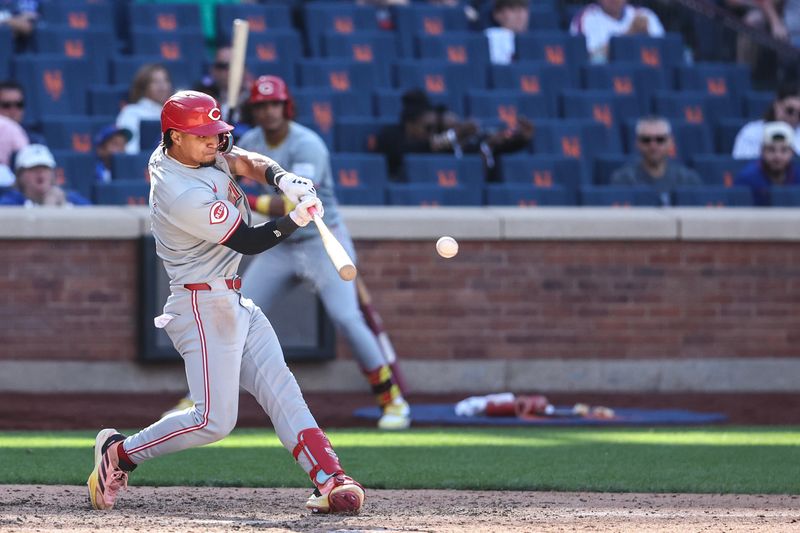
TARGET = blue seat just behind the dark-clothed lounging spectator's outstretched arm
x,y
507,106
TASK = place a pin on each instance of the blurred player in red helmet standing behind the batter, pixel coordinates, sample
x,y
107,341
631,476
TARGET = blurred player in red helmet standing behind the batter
x,y
301,151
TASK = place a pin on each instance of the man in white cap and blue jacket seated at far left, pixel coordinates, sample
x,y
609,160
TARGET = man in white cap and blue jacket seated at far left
x,y
36,181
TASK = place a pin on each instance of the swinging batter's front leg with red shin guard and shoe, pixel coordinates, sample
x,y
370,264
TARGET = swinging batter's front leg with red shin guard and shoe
x,y
264,374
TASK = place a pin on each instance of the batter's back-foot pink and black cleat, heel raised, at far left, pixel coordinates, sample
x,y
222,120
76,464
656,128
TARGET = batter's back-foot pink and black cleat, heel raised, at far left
x,y
107,479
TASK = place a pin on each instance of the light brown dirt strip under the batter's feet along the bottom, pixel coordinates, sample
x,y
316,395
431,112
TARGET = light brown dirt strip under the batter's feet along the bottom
x,y
181,509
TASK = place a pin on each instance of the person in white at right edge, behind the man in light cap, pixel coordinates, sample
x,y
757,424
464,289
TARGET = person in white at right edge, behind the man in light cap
x,y
785,108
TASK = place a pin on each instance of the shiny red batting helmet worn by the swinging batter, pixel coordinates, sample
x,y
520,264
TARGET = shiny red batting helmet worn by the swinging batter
x,y
193,112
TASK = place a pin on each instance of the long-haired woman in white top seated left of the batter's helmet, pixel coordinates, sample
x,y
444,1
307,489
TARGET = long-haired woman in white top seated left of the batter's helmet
x,y
150,89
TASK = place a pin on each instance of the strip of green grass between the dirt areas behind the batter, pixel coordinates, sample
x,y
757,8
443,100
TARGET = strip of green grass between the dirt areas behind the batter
x,y
717,460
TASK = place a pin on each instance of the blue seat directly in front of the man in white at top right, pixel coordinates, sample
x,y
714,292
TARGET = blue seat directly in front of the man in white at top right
x,y
654,52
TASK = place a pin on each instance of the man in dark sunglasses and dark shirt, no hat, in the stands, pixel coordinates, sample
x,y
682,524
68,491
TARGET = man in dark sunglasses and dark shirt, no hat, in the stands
x,y
654,167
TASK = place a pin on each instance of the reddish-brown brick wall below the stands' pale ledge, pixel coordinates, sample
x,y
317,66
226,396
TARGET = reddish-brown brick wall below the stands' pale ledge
x,y
62,299
